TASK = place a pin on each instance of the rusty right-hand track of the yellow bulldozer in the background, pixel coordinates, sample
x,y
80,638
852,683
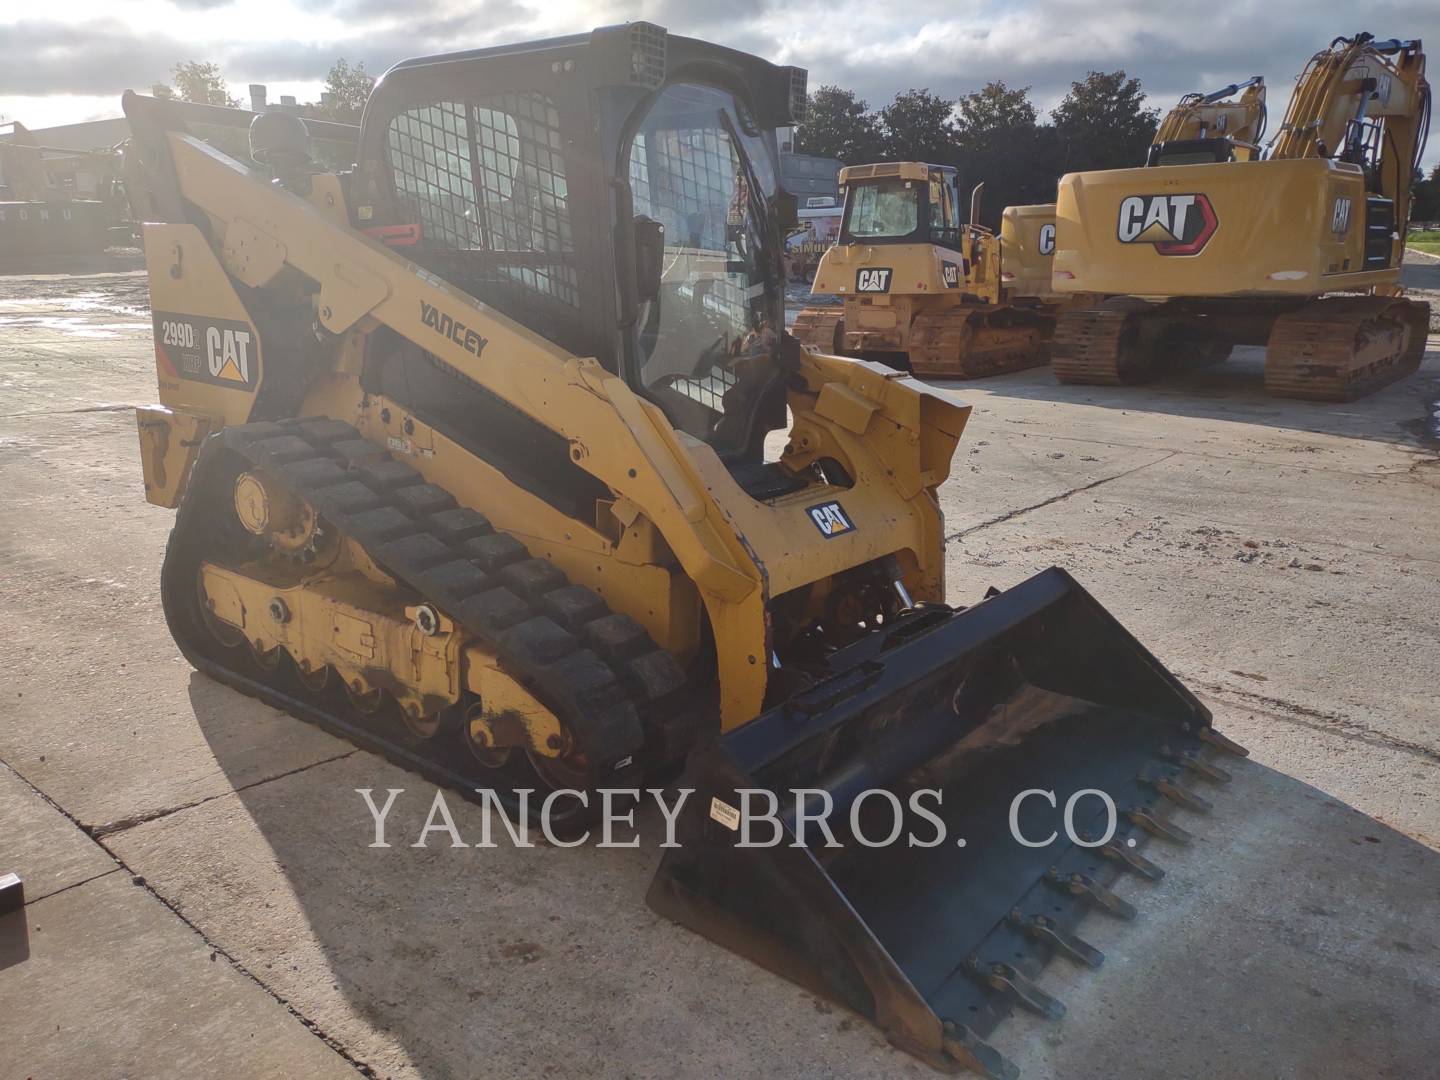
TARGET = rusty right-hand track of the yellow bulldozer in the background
x,y
977,342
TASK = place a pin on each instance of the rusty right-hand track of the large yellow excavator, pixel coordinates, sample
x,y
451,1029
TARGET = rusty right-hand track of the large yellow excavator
x,y
1338,349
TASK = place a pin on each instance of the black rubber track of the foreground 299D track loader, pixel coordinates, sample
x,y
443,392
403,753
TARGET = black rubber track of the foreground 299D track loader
x,y
598,672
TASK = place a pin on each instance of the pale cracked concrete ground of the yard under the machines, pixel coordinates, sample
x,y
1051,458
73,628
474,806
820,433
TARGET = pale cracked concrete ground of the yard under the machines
x,y
202,898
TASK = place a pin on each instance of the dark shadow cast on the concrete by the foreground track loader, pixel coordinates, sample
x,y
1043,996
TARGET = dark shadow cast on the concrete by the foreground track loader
x,y
1295,938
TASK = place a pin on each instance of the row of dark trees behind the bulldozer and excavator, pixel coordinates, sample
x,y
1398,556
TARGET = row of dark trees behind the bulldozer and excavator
x,y
994,135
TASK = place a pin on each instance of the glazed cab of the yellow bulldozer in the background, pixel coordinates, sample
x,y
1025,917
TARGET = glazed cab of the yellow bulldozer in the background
x,y
904,202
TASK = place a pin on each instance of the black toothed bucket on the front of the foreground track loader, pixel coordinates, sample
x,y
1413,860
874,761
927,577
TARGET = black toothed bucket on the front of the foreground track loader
x,y
960,714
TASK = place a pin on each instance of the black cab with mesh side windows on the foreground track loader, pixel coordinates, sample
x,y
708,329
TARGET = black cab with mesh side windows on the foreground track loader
x,y
618,194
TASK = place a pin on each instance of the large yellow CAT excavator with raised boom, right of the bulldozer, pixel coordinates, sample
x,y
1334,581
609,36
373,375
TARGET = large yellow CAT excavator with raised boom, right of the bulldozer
x,y
1297,250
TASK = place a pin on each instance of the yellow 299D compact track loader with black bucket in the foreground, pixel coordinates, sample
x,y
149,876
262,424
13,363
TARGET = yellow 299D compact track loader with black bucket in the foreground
x,y
469,453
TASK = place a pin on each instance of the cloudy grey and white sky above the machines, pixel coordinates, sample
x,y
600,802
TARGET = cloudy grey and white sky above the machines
x,y
60,70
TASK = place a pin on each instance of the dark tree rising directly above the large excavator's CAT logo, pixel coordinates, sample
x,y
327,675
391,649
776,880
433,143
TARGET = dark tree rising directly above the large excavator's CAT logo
x,y
1104,123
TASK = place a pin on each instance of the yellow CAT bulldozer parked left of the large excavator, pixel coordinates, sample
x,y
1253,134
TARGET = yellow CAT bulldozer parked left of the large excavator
x,y
921,290
